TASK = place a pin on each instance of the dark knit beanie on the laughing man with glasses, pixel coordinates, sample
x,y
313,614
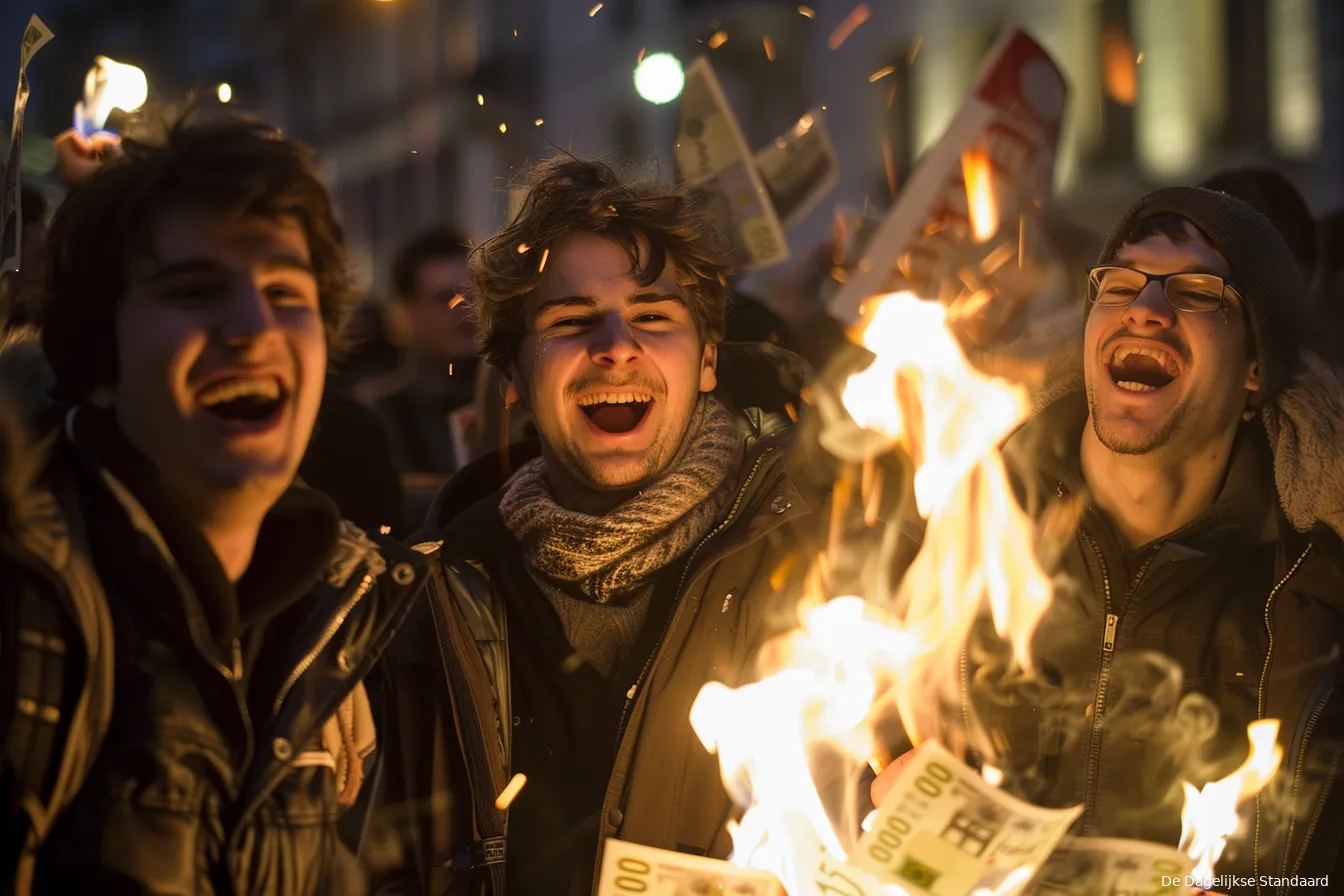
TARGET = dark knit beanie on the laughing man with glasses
x,y
1264,269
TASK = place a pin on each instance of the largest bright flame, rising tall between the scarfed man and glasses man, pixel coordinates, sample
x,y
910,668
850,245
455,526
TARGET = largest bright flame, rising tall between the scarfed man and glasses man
x,y
854,660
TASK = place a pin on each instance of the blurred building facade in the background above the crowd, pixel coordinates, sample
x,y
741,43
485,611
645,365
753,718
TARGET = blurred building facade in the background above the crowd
x,y
423,108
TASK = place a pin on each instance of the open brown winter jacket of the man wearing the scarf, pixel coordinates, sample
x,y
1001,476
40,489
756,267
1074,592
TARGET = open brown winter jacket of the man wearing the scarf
x,y
456,668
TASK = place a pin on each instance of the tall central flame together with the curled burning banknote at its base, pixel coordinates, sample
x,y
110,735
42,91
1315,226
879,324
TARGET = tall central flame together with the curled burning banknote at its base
x,y
855,660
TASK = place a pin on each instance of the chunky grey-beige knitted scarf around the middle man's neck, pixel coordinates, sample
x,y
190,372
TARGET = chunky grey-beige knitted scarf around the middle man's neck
x,y
599,570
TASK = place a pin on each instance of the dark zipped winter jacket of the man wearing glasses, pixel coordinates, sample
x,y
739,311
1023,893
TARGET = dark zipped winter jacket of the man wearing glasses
x,y
1247,602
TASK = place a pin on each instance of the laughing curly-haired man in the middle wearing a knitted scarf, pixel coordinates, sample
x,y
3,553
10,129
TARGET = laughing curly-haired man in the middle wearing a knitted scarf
x,y
579,607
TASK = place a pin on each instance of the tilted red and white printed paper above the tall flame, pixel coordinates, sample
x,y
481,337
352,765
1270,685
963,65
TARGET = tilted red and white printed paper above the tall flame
x,y
1014,118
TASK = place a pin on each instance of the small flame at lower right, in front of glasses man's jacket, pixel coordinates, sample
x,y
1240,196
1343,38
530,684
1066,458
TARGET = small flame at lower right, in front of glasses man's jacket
x,y
1210,816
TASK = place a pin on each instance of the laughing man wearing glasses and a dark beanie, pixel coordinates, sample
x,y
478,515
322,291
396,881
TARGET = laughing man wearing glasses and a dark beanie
x,y
1204,588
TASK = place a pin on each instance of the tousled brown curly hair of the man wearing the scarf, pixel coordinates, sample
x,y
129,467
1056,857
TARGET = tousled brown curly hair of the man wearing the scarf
x,y
569,197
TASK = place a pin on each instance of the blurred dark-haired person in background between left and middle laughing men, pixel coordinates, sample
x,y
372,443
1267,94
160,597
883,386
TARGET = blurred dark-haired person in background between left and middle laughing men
x,y
427,405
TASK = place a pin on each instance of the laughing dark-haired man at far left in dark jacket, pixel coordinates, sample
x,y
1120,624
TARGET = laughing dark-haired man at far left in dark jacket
x,y
185,629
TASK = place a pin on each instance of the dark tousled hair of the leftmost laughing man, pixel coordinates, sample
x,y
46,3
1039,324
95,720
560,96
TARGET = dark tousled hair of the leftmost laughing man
x,y
232,167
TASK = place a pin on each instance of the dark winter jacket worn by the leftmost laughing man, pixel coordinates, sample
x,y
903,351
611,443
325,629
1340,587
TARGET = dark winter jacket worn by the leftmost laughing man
x,y
166,731
